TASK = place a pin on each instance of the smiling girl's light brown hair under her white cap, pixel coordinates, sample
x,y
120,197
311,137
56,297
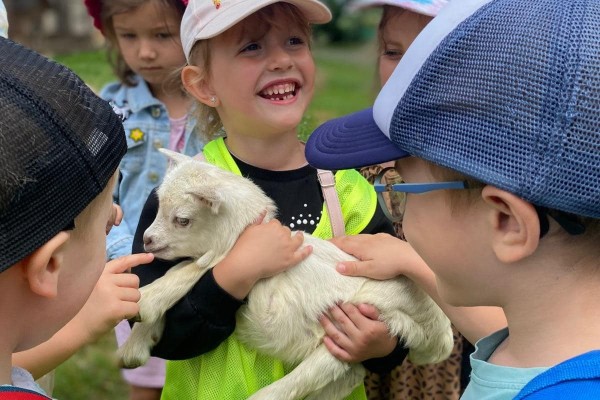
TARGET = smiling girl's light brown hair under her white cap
x,y
208,117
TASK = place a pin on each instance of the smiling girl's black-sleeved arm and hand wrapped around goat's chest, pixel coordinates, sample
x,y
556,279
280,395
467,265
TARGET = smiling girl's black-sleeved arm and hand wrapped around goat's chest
x,y
208,310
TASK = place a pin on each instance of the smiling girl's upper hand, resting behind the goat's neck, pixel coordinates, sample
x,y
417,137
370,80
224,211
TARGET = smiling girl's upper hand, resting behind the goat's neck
x,y
261,251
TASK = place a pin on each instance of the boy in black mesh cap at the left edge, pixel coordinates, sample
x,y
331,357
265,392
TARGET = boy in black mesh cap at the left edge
x,y
60,146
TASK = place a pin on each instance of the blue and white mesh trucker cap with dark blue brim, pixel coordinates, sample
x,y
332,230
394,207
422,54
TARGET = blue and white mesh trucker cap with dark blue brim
x,y
504,91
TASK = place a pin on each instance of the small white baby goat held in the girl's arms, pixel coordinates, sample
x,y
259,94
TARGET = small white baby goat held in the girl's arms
x,y
202,211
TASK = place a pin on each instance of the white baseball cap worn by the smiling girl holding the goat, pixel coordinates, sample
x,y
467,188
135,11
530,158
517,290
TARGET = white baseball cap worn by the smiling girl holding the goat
x,y
204,19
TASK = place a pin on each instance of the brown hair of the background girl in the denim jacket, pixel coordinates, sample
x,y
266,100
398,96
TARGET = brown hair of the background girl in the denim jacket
x,y
112,7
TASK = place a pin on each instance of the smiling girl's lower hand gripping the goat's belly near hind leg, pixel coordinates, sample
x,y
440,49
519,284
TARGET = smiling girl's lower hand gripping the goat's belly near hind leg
x,y
356,334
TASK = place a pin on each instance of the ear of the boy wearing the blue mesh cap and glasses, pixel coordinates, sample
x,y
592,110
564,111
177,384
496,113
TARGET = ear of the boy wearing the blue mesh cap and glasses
x,y
515,225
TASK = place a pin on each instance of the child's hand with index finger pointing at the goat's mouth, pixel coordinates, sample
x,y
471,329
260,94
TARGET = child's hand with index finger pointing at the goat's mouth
x,y
114,297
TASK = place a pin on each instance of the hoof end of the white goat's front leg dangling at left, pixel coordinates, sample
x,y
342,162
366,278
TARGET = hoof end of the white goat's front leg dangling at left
x,y
135,351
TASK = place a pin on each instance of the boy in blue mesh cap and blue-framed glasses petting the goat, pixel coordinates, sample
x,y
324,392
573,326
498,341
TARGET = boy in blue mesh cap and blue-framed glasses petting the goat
x,y
494,124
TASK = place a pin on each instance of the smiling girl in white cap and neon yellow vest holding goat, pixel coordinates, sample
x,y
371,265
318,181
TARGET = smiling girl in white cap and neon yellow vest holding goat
x,y
252,72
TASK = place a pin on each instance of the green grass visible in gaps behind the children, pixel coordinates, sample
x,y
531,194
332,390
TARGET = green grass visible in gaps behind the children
x,y
345,83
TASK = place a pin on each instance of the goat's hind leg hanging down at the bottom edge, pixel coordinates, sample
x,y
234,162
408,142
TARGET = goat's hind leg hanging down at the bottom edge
x,y
319,370
